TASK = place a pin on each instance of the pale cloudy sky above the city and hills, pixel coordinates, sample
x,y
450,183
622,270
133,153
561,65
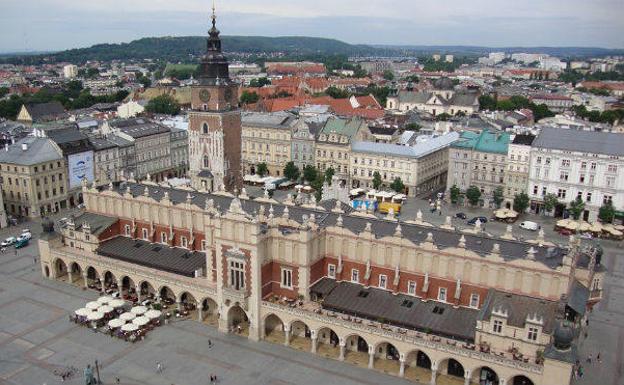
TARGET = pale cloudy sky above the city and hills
x,y
29,25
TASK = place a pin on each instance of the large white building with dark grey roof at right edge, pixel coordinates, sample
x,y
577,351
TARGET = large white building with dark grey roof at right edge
x,y
571,164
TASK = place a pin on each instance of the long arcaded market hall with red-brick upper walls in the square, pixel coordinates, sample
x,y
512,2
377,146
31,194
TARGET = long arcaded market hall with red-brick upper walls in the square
x,y
408,298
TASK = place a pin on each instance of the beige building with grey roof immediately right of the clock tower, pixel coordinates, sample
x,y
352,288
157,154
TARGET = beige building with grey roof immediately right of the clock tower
x,y
267,139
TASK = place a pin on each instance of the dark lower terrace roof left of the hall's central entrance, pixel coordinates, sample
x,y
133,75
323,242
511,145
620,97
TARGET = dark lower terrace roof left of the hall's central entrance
x,y
162,257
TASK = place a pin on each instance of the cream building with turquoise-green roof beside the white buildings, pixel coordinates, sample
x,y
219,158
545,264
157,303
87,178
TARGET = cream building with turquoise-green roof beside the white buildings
x,y
479,160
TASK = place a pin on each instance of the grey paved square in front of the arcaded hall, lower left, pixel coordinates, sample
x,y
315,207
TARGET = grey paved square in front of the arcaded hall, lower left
x,y
36,339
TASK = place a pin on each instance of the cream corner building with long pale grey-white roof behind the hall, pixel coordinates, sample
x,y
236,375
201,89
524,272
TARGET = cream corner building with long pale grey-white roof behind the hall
x,y
420,167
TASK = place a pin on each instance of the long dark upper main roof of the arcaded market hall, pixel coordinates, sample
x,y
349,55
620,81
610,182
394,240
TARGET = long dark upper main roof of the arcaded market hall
x,y
482,245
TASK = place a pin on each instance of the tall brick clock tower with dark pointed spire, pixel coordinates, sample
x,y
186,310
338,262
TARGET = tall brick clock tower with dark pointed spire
x,y
215,122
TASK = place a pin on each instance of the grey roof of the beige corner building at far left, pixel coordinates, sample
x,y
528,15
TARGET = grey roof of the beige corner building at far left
x,y
39,150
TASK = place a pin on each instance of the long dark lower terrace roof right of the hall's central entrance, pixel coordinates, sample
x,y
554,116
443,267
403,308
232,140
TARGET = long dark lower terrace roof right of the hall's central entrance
x,y
401,310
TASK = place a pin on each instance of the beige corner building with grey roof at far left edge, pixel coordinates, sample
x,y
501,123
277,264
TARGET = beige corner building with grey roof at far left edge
x,y
33,177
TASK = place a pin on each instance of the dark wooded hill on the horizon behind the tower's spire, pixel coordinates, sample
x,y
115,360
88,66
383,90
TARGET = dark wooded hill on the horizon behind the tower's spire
x,y
181,48
